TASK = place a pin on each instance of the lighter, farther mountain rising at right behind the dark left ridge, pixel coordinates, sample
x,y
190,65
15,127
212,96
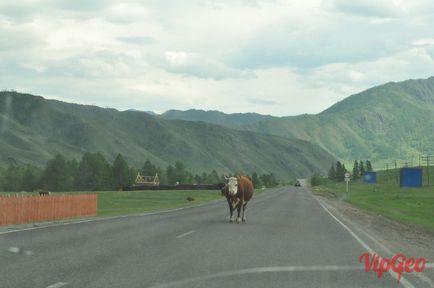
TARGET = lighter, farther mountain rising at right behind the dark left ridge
x,y
389,122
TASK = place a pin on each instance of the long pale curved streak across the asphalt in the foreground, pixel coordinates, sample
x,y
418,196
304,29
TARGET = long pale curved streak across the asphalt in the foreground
x,y
314,268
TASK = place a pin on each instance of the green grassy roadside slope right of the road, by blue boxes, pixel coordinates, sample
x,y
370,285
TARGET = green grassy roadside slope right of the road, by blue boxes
x,y
413,206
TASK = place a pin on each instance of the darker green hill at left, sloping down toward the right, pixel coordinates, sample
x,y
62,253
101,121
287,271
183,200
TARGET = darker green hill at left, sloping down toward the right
x,y
33,129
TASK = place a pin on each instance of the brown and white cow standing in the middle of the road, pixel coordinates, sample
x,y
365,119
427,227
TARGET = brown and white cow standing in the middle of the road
x,y
238,191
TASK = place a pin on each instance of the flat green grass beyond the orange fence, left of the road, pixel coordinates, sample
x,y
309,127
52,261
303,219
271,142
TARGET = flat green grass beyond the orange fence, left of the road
x,y
113,203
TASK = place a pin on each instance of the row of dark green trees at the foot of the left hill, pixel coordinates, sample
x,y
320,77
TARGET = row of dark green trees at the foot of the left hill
x,y
94,173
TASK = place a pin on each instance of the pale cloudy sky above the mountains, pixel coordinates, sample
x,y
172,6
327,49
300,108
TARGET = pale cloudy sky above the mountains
x,y
271,57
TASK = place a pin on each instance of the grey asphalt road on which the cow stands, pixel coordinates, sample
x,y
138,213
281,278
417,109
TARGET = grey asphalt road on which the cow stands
x,y
289,240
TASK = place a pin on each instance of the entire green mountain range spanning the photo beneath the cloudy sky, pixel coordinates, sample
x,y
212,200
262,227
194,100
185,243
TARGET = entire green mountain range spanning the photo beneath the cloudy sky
x,y
389,122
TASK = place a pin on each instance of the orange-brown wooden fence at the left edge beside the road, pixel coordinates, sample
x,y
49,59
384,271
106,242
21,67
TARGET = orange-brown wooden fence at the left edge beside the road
x,y
28,209
